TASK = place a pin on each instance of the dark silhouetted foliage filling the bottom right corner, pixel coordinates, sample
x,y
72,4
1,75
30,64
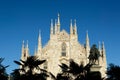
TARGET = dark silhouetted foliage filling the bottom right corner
x,y
113,72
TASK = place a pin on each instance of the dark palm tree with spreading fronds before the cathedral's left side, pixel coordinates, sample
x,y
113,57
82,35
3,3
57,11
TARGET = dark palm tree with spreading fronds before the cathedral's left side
x,y
27,72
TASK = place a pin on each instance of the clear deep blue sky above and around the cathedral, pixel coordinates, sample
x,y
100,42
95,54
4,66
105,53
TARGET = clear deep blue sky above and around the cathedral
x,y
21,20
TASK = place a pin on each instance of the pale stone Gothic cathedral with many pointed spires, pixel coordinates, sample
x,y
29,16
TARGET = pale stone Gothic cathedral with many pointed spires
x,y
63,46
